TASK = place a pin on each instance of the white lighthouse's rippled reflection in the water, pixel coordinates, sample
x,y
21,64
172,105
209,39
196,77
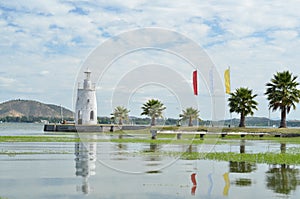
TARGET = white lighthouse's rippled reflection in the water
x,y
85,162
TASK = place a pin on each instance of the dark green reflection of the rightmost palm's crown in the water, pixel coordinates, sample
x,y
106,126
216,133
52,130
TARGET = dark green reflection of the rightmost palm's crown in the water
x,y
282,178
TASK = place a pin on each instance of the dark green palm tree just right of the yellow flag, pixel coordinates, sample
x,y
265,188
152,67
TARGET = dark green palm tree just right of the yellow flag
x,y
242,101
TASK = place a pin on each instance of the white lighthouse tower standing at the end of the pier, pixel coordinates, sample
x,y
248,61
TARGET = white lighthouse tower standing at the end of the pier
x,y
86,103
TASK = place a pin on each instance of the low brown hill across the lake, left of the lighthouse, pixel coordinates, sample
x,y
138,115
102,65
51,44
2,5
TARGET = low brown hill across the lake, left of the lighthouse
x,y
30,108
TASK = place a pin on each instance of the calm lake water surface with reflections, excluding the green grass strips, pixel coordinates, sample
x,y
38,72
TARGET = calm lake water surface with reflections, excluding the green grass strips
x,y
127,170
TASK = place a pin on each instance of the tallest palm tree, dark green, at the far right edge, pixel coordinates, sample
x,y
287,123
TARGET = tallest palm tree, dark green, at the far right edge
x,y
283,94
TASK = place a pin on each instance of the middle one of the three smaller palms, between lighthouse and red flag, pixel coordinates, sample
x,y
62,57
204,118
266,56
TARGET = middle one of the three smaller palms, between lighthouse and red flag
x,y
153,108
